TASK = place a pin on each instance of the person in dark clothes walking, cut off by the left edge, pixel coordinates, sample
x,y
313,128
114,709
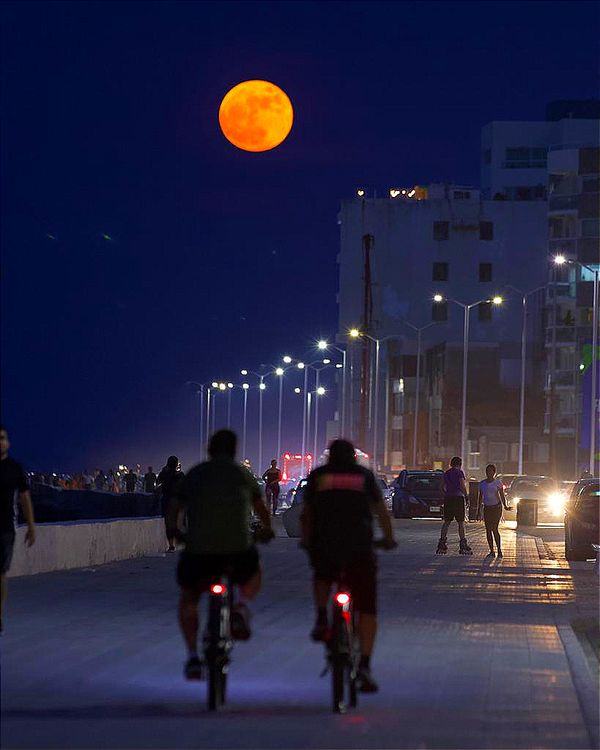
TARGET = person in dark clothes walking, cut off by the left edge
x,y
13,480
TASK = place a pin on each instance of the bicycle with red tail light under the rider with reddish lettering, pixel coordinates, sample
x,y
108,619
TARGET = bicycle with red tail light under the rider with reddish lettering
x,y
343,652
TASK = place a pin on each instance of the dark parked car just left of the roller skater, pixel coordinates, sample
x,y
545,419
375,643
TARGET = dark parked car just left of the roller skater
x,y
418,494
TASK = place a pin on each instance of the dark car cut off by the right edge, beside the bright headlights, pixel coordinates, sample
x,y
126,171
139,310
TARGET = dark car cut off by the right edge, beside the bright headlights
x,y
582,528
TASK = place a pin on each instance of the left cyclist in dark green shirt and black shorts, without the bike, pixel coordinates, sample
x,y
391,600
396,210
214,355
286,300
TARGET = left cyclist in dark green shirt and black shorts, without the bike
x,y
218,497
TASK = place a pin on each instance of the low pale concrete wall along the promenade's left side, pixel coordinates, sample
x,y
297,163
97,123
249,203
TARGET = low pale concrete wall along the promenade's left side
x,y
79,544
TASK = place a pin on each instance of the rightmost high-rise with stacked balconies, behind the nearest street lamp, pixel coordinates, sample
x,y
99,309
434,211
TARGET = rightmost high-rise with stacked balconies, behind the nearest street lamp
x,y
574,234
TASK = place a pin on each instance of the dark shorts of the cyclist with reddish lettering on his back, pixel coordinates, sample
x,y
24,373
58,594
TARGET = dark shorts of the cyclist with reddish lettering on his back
x,y
360,574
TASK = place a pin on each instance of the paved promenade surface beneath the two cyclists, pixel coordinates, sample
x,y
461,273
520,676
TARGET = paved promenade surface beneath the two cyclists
x,y
472,653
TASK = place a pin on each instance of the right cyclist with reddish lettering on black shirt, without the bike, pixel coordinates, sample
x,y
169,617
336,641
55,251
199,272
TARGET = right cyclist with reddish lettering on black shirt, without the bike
x,y
339,502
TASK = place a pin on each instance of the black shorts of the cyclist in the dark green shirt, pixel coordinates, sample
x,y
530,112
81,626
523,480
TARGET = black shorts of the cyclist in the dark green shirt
x,y
198,572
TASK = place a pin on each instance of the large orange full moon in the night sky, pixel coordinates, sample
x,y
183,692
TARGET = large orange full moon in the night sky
x,y
256,115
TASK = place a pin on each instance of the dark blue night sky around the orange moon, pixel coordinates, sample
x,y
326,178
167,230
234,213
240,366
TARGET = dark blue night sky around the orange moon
x,y
221,259
